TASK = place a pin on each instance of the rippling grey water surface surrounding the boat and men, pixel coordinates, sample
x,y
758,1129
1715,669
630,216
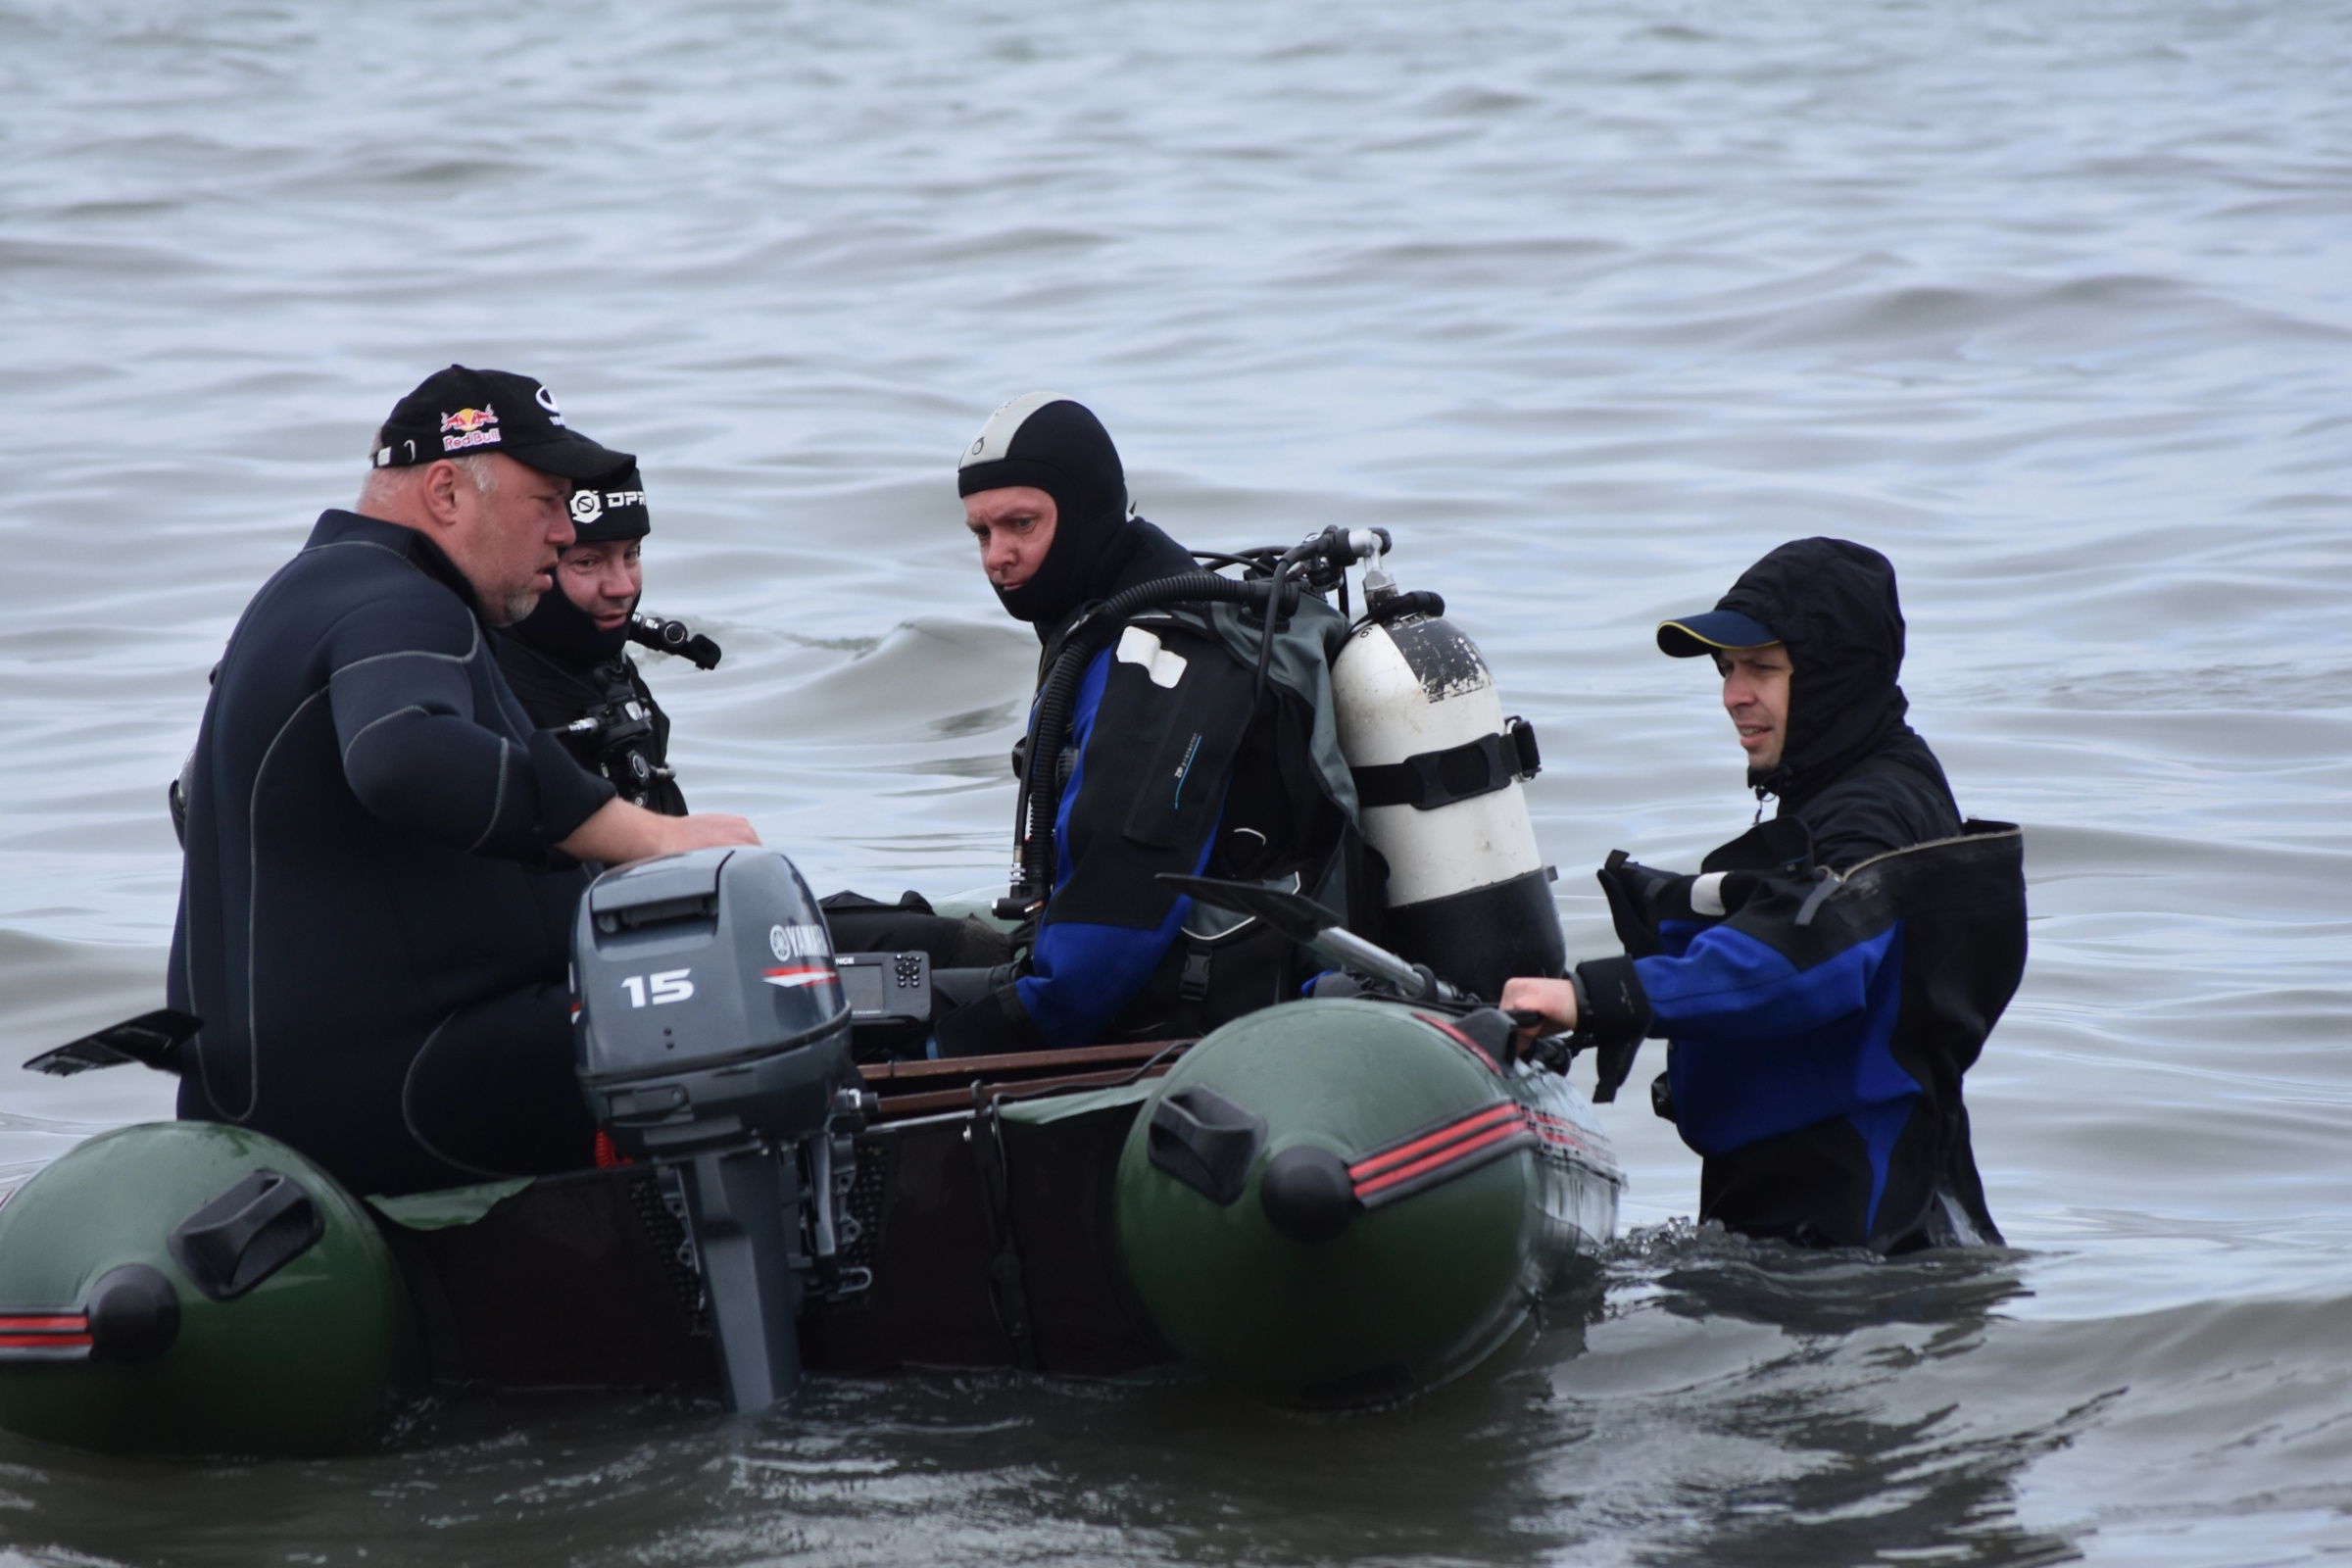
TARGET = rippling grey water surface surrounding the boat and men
x,y
1591,304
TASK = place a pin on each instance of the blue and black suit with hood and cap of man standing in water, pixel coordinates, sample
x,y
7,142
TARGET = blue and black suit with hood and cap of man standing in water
x,y
1826,979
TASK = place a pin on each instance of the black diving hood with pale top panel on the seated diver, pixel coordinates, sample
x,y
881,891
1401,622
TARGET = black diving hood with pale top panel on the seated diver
x,y
1062,448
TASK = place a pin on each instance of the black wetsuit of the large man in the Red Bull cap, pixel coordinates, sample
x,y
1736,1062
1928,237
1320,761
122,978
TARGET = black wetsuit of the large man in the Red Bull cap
x,y
375,923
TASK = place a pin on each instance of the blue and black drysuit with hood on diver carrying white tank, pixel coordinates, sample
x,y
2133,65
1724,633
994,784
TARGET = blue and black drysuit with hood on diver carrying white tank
x,y
1177,765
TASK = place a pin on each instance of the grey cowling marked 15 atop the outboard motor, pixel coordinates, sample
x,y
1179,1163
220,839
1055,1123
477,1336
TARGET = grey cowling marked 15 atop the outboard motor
x,y
709,1003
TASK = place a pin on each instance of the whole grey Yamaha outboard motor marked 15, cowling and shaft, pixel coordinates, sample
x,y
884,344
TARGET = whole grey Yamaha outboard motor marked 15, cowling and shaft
x,y
714,1038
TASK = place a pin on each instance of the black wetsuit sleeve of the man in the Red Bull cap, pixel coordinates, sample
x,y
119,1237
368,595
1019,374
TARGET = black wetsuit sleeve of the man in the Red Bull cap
x,y
406,695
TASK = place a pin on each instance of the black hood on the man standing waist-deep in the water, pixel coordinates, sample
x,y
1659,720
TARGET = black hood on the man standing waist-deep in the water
x,y
1833,605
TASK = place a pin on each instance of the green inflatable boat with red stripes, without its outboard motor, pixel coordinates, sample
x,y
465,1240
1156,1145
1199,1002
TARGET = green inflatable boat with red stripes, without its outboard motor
x,y
1325,1205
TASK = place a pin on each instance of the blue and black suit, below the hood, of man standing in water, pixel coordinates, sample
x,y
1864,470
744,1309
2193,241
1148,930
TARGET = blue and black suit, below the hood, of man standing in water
x,y
1819,1026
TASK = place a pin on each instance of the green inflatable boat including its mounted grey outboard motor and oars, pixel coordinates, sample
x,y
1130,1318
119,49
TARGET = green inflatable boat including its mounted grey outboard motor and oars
x,y
1332,1202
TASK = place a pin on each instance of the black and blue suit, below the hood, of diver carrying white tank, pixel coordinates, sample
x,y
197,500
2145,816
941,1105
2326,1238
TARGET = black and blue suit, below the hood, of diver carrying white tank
x,y
1154,749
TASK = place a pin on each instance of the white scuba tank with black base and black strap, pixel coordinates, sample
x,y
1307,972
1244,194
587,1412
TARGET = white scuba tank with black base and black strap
x,y
1441,784
